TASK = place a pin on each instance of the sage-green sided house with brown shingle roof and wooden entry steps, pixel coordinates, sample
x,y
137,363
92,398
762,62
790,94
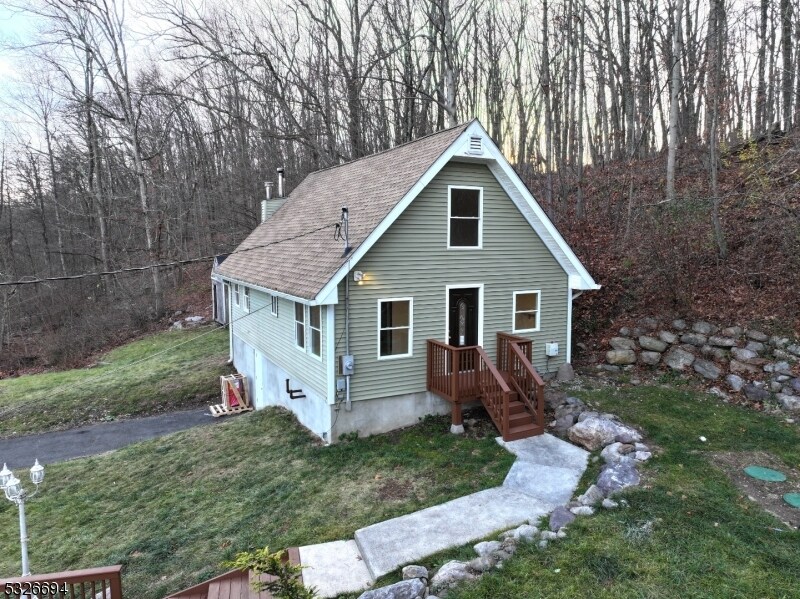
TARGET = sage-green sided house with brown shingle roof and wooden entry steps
x,y
405,283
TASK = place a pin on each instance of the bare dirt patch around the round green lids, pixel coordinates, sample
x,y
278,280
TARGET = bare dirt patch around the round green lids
x,y
769,495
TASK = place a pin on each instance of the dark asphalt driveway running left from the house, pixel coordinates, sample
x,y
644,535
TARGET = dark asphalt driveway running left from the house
x,y
19,452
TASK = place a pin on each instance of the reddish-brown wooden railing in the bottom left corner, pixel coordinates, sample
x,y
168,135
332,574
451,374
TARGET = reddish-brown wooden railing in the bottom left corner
x,y
105,582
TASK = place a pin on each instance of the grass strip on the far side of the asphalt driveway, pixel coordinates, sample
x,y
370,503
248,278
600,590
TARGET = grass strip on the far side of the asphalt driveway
x,y
156,374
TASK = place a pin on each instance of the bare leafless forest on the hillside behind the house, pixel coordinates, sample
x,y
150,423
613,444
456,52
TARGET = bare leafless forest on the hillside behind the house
x,y
144,134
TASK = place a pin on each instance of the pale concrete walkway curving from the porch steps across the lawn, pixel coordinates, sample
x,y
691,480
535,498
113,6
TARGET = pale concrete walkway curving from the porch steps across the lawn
x,y
544,476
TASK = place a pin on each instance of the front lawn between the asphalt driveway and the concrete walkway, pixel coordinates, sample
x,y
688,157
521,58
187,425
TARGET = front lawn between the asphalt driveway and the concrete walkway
x,y
170,510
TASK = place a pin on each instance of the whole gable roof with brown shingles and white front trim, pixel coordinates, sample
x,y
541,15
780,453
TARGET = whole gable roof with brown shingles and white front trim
x,y
294,253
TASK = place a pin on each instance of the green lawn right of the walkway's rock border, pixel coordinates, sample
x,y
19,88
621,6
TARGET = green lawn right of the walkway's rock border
x,y
687,533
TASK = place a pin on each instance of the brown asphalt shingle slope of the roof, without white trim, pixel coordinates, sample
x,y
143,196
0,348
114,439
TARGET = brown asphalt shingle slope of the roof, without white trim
x,y
294,251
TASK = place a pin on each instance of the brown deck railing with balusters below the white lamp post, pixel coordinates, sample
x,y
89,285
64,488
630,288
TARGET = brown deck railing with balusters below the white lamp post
x,y
100,583
